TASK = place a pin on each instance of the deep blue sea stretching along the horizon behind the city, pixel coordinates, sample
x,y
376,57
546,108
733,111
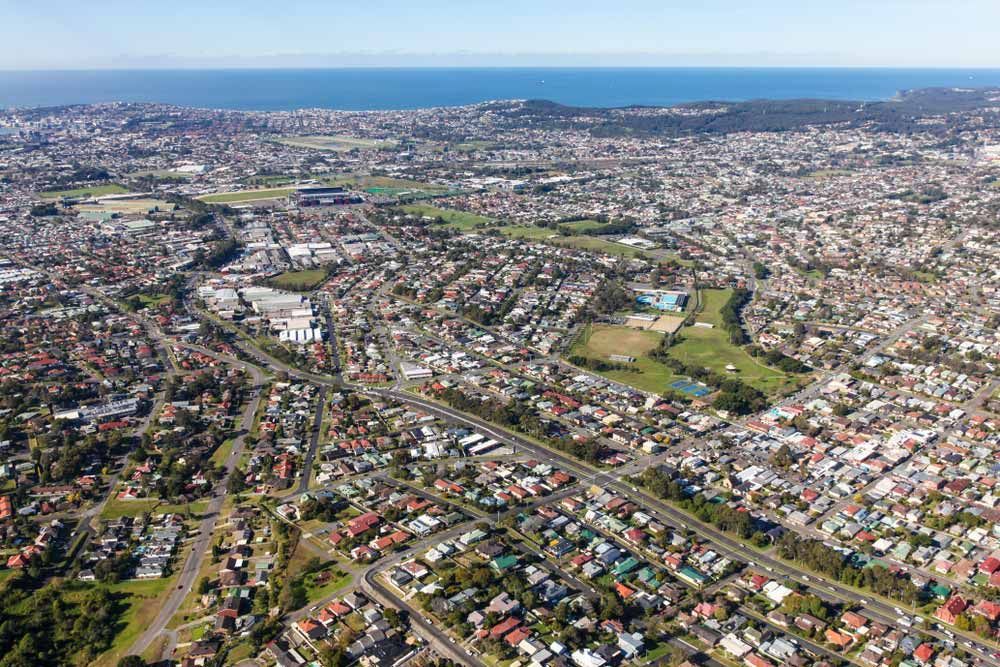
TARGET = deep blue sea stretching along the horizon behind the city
x,y
363,88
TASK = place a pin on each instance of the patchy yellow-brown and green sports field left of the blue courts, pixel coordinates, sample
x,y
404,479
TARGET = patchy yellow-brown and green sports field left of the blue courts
x,y
598,341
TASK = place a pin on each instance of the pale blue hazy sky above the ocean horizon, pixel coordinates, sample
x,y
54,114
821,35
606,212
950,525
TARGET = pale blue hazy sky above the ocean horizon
x,y
54,34
